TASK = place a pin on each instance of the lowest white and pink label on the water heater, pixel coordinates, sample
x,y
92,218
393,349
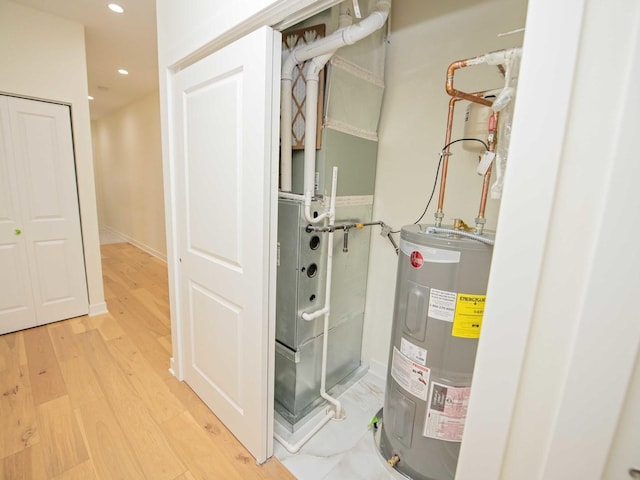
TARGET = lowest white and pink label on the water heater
x,y
446,412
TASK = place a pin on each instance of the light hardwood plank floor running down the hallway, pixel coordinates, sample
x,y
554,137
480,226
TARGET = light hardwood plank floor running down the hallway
x,y
91,398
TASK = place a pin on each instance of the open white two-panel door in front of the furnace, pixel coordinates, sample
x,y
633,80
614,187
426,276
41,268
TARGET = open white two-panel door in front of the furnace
x,y
226,191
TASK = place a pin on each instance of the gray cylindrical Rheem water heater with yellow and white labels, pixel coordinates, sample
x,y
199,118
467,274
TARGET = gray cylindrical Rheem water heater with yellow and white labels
x,y
439,304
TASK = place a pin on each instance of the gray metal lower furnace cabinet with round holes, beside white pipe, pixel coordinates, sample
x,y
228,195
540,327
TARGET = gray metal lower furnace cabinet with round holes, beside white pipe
x,y
299,351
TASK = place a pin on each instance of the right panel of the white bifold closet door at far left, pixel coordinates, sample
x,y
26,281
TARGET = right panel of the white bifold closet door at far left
x,y
46,171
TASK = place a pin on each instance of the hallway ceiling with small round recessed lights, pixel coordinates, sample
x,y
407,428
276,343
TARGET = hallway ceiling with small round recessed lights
x,y
113,41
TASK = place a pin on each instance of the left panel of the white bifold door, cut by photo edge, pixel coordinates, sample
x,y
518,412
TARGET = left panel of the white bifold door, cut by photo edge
x,y
16,302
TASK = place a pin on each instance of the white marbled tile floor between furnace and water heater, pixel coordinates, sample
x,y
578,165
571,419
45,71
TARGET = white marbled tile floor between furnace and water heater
x,y
343,449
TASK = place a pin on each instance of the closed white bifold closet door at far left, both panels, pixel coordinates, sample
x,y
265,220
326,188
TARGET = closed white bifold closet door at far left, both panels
x,y
40,217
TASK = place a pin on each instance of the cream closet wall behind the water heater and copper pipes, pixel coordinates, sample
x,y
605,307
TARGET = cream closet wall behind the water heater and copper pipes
x,y
425,38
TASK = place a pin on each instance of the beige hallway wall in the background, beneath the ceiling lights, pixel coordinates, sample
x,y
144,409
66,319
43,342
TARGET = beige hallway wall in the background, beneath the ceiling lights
x,y
128,161
